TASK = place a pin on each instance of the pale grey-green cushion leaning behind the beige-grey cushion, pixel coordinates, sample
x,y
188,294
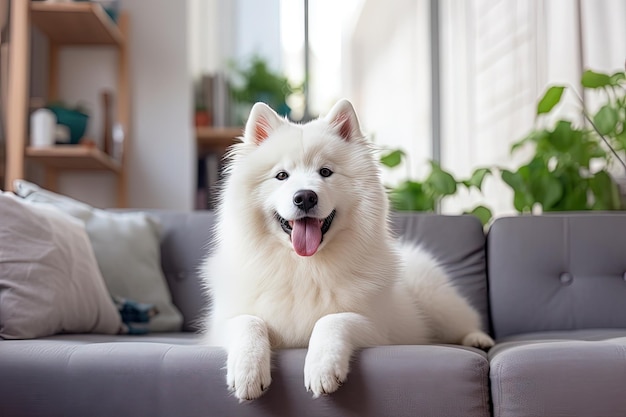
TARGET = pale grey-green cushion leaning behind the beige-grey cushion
x,y
127,248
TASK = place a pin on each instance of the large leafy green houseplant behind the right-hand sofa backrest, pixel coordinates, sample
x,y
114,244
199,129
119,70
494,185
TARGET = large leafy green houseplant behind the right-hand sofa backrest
x,y
571,163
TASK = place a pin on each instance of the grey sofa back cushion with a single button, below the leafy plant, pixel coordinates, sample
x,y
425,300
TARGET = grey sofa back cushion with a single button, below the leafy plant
x,y
557,272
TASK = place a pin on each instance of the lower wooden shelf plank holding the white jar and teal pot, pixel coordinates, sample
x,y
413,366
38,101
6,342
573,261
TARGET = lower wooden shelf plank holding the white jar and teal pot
x,y
73,157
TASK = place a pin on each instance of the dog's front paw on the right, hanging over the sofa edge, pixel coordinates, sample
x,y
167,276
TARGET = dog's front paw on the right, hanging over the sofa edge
x,y
324,372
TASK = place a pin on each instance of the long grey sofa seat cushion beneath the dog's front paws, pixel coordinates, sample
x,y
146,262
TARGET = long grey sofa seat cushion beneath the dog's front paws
x,y
168,375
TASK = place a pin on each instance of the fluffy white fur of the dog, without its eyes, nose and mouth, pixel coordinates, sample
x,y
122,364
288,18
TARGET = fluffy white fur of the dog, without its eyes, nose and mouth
x,y
360,287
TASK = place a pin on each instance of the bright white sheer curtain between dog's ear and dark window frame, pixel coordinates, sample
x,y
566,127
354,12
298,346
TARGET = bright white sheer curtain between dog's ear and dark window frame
x,y
388,79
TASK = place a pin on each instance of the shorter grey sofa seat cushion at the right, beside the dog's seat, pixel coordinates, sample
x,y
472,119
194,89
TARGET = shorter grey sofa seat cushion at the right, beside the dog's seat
x,y
560,373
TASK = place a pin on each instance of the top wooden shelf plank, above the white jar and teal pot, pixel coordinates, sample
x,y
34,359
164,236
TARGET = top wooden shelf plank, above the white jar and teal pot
x,y
81,23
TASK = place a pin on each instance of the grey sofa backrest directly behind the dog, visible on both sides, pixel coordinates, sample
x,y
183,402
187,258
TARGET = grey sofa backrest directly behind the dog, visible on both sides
x,y
458,243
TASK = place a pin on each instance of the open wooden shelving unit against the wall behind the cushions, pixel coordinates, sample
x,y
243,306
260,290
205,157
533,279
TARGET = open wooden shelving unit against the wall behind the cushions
x,y
64,24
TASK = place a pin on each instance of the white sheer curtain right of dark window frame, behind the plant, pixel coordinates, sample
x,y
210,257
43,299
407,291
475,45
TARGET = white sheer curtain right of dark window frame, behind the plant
x,y
498,56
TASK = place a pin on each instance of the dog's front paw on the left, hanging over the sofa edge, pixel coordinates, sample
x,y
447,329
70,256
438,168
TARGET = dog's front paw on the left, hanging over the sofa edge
x,y
248,374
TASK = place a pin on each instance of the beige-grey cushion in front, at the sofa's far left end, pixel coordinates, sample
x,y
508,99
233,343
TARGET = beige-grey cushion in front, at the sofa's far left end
x,y
49,278
